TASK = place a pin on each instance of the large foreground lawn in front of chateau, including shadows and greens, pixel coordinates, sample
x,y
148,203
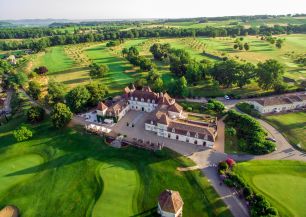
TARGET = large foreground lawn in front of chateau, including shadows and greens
x,y
81,176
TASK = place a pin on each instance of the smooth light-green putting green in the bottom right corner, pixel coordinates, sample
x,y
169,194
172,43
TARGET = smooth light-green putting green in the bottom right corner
x,y
287,190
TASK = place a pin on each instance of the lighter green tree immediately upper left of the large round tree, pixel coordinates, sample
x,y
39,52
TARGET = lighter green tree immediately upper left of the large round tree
x,y
56,92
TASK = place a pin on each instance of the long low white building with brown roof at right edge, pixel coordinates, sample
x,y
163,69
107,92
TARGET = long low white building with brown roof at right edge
x,y
280,103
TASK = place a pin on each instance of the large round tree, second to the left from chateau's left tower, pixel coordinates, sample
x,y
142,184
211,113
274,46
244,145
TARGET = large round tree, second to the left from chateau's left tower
x,y
77,98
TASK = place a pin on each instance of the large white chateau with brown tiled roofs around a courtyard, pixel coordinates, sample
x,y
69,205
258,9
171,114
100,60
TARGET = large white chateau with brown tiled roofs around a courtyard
x,y
167,118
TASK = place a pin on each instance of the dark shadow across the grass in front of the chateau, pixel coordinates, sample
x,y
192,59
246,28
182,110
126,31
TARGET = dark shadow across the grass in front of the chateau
x,y
81,146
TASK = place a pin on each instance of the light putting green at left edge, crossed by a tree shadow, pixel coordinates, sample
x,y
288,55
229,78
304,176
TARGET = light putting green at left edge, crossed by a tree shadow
x,y
9,169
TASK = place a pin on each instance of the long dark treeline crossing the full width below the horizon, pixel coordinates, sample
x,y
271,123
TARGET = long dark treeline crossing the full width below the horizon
x,y
114,34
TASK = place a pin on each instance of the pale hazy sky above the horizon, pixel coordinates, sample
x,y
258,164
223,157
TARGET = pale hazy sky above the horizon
x,y
134,9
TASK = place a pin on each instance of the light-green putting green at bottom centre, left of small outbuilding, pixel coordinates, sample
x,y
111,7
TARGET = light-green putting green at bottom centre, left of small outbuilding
x,y
120,190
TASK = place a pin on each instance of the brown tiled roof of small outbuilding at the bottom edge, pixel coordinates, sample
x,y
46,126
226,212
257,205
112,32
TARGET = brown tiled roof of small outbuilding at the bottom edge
x,y
170,201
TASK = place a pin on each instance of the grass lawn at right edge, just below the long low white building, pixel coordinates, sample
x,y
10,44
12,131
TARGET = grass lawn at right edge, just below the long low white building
x,y
292,126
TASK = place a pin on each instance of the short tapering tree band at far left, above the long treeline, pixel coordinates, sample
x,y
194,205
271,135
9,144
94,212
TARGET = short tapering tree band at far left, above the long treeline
x,y
9,33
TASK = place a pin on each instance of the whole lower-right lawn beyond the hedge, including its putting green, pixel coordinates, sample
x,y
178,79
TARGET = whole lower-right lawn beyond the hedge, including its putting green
x,y
282,182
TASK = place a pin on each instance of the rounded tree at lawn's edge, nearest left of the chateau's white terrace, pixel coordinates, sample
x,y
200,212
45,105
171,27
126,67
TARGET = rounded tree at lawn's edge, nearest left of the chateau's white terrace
x,y
60,115
